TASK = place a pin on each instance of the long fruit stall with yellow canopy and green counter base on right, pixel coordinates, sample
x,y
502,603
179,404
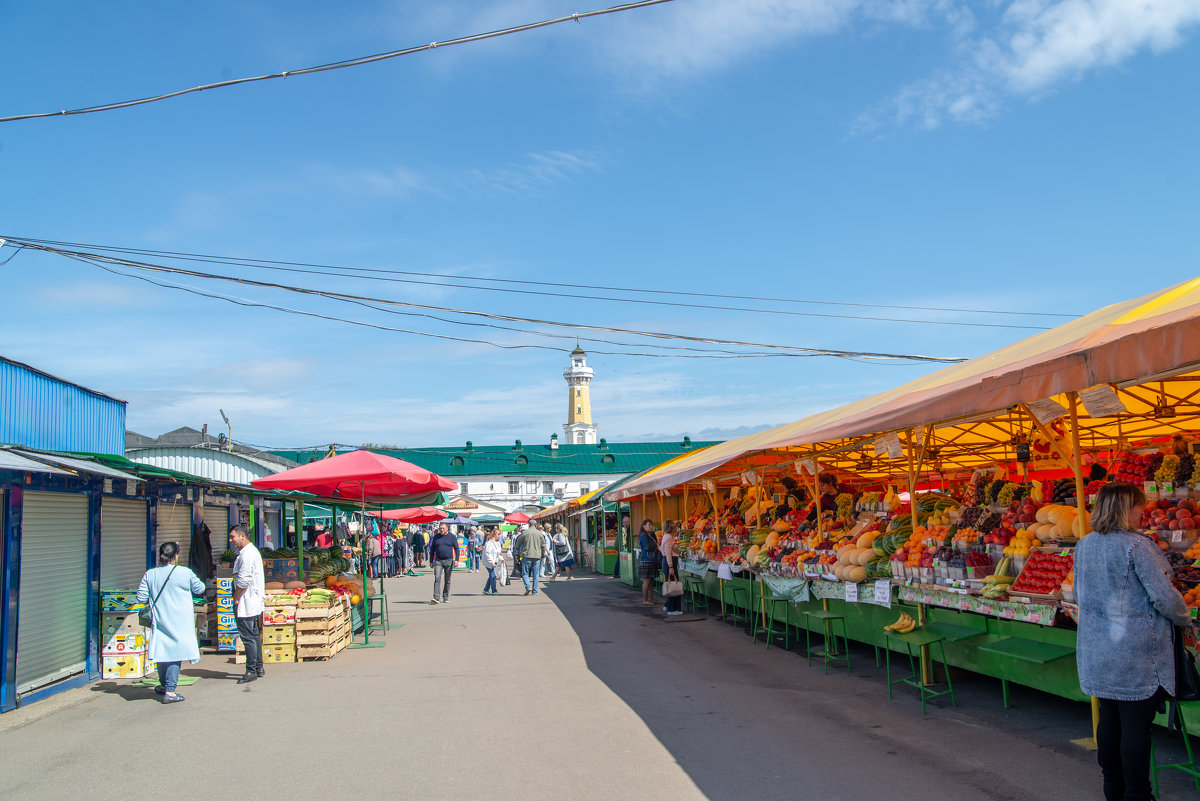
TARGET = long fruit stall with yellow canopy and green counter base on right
x,y
963,492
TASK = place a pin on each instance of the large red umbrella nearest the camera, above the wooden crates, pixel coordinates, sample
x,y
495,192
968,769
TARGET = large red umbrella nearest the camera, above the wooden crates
x,y
359,475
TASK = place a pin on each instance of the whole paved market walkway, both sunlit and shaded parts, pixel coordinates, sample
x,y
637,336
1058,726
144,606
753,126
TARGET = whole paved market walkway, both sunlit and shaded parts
x,y
575,694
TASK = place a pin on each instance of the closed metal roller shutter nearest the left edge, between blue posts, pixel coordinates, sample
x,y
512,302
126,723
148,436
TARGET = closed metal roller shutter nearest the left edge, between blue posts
x,y
53,605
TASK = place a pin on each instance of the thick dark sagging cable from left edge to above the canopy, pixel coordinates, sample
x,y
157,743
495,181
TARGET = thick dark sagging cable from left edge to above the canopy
x,y
92,258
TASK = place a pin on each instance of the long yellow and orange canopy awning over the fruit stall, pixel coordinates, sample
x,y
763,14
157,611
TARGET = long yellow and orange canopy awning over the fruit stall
x,y
1145,347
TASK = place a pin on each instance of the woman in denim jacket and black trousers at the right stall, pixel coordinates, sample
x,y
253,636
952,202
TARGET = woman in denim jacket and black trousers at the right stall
x,y
1127,609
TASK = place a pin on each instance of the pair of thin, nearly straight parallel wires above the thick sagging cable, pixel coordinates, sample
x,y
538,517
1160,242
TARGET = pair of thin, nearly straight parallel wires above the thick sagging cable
x,y
251,263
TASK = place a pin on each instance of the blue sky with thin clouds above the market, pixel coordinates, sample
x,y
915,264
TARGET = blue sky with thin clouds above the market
x,y
1023,156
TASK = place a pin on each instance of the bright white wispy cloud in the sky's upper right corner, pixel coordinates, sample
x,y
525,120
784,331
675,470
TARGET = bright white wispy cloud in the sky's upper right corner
x,y
1033,47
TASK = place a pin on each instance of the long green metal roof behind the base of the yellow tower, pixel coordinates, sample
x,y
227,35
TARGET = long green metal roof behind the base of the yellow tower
x,y
520,460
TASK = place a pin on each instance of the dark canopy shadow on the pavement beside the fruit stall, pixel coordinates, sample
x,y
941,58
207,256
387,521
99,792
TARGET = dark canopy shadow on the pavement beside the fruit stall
x,y
745,720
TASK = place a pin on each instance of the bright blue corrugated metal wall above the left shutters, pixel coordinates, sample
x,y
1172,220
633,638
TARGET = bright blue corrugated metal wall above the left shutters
x,y
41,412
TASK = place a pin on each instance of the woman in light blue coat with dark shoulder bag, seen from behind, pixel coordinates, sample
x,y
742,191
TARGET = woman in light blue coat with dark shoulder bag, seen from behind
x,y
169,591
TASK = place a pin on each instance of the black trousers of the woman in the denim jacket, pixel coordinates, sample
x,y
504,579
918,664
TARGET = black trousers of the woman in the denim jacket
x,y
1123,740
